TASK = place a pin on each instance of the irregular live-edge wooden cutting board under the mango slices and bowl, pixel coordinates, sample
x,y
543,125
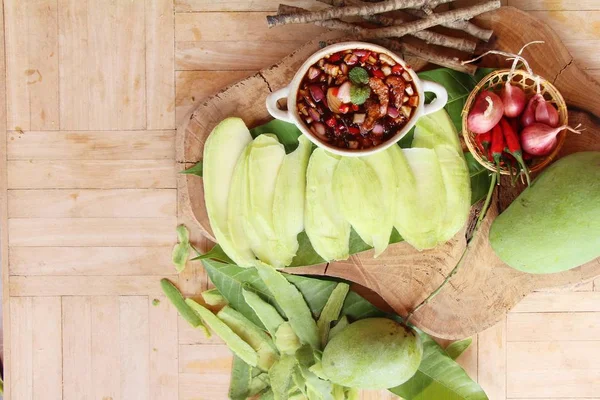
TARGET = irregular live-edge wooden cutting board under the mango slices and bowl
x,y
484,289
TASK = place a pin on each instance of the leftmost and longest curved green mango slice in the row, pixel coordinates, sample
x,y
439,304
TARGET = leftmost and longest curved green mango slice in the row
x,y
222,150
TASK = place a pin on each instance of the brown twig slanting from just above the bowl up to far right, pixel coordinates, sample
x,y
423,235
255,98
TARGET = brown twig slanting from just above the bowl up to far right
x,y
432,20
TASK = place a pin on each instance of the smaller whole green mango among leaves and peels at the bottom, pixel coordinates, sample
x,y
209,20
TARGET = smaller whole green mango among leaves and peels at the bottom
x,y
373,353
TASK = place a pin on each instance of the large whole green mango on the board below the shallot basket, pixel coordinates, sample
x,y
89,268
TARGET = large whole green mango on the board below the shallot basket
x,y
554,225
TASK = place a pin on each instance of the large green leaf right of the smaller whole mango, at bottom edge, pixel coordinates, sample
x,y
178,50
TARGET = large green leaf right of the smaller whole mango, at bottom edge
x,y
439,377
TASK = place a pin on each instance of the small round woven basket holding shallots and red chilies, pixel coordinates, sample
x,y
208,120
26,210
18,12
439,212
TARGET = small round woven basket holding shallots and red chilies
x,y
494,82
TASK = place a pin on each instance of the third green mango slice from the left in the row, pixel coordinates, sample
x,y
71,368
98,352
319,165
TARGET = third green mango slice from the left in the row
x,y
264,161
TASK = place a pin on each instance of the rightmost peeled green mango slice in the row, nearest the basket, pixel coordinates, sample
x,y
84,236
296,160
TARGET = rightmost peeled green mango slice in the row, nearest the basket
x,y
457,183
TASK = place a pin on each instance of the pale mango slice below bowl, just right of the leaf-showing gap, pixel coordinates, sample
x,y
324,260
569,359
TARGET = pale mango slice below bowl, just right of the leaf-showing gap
x,y
326,227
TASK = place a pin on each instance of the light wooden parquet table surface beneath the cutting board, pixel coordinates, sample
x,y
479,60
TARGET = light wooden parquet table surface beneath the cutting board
x,y
94,90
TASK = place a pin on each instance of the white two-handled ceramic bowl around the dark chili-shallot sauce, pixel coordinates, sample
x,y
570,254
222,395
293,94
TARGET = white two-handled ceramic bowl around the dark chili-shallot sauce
x,y
290,92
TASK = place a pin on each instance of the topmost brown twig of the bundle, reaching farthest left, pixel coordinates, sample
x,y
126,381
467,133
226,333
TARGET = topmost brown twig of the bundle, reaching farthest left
x,y
332,13
